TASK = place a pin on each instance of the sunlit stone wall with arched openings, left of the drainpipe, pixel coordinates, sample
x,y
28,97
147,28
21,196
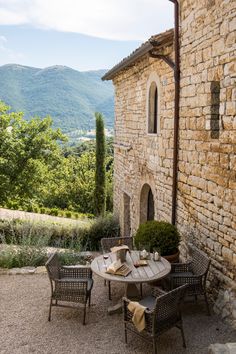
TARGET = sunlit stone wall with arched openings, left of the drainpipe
x,y
142,158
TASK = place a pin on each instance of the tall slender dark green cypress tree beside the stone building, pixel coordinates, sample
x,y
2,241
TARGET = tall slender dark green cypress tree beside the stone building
x,y
100,173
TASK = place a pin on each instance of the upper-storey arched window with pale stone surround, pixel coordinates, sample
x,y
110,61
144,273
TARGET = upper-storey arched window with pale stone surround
x,y
153,104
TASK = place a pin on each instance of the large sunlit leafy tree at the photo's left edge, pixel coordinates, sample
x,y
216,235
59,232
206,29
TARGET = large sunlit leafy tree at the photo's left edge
x,y
28,150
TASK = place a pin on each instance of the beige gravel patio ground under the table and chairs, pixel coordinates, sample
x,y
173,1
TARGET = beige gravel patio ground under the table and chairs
x,y
24,328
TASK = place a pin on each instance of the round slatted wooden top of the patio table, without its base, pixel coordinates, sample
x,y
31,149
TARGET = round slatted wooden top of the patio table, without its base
x,y
154,270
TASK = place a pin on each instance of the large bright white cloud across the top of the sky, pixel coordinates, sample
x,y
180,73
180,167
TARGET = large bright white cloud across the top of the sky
x,y
111,19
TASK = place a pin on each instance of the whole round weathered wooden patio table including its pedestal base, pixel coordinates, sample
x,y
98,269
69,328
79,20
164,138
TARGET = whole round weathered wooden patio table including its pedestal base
x,y
152,272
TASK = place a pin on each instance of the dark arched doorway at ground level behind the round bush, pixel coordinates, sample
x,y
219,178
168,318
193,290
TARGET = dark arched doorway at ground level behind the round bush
x,y
147,210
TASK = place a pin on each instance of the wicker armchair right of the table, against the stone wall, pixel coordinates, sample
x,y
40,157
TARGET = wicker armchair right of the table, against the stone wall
x,y
193,273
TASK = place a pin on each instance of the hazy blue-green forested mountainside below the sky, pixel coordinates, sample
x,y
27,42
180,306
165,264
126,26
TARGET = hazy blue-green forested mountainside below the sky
x,y
71,97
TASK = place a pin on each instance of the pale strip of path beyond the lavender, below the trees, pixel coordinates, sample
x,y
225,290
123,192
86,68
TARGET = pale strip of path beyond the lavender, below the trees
x,y
24,215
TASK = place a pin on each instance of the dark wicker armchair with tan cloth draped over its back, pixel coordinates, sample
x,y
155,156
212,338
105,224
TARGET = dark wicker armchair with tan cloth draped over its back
x,y
163,312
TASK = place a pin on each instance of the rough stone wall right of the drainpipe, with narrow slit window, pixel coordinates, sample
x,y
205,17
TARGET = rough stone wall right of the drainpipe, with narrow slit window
x,y
206,211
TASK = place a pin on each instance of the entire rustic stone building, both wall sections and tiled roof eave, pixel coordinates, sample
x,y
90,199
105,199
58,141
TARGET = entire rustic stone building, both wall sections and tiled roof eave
x,y
144,130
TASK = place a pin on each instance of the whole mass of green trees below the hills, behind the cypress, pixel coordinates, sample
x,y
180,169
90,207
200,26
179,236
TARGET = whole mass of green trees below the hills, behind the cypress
x,y
36,168
